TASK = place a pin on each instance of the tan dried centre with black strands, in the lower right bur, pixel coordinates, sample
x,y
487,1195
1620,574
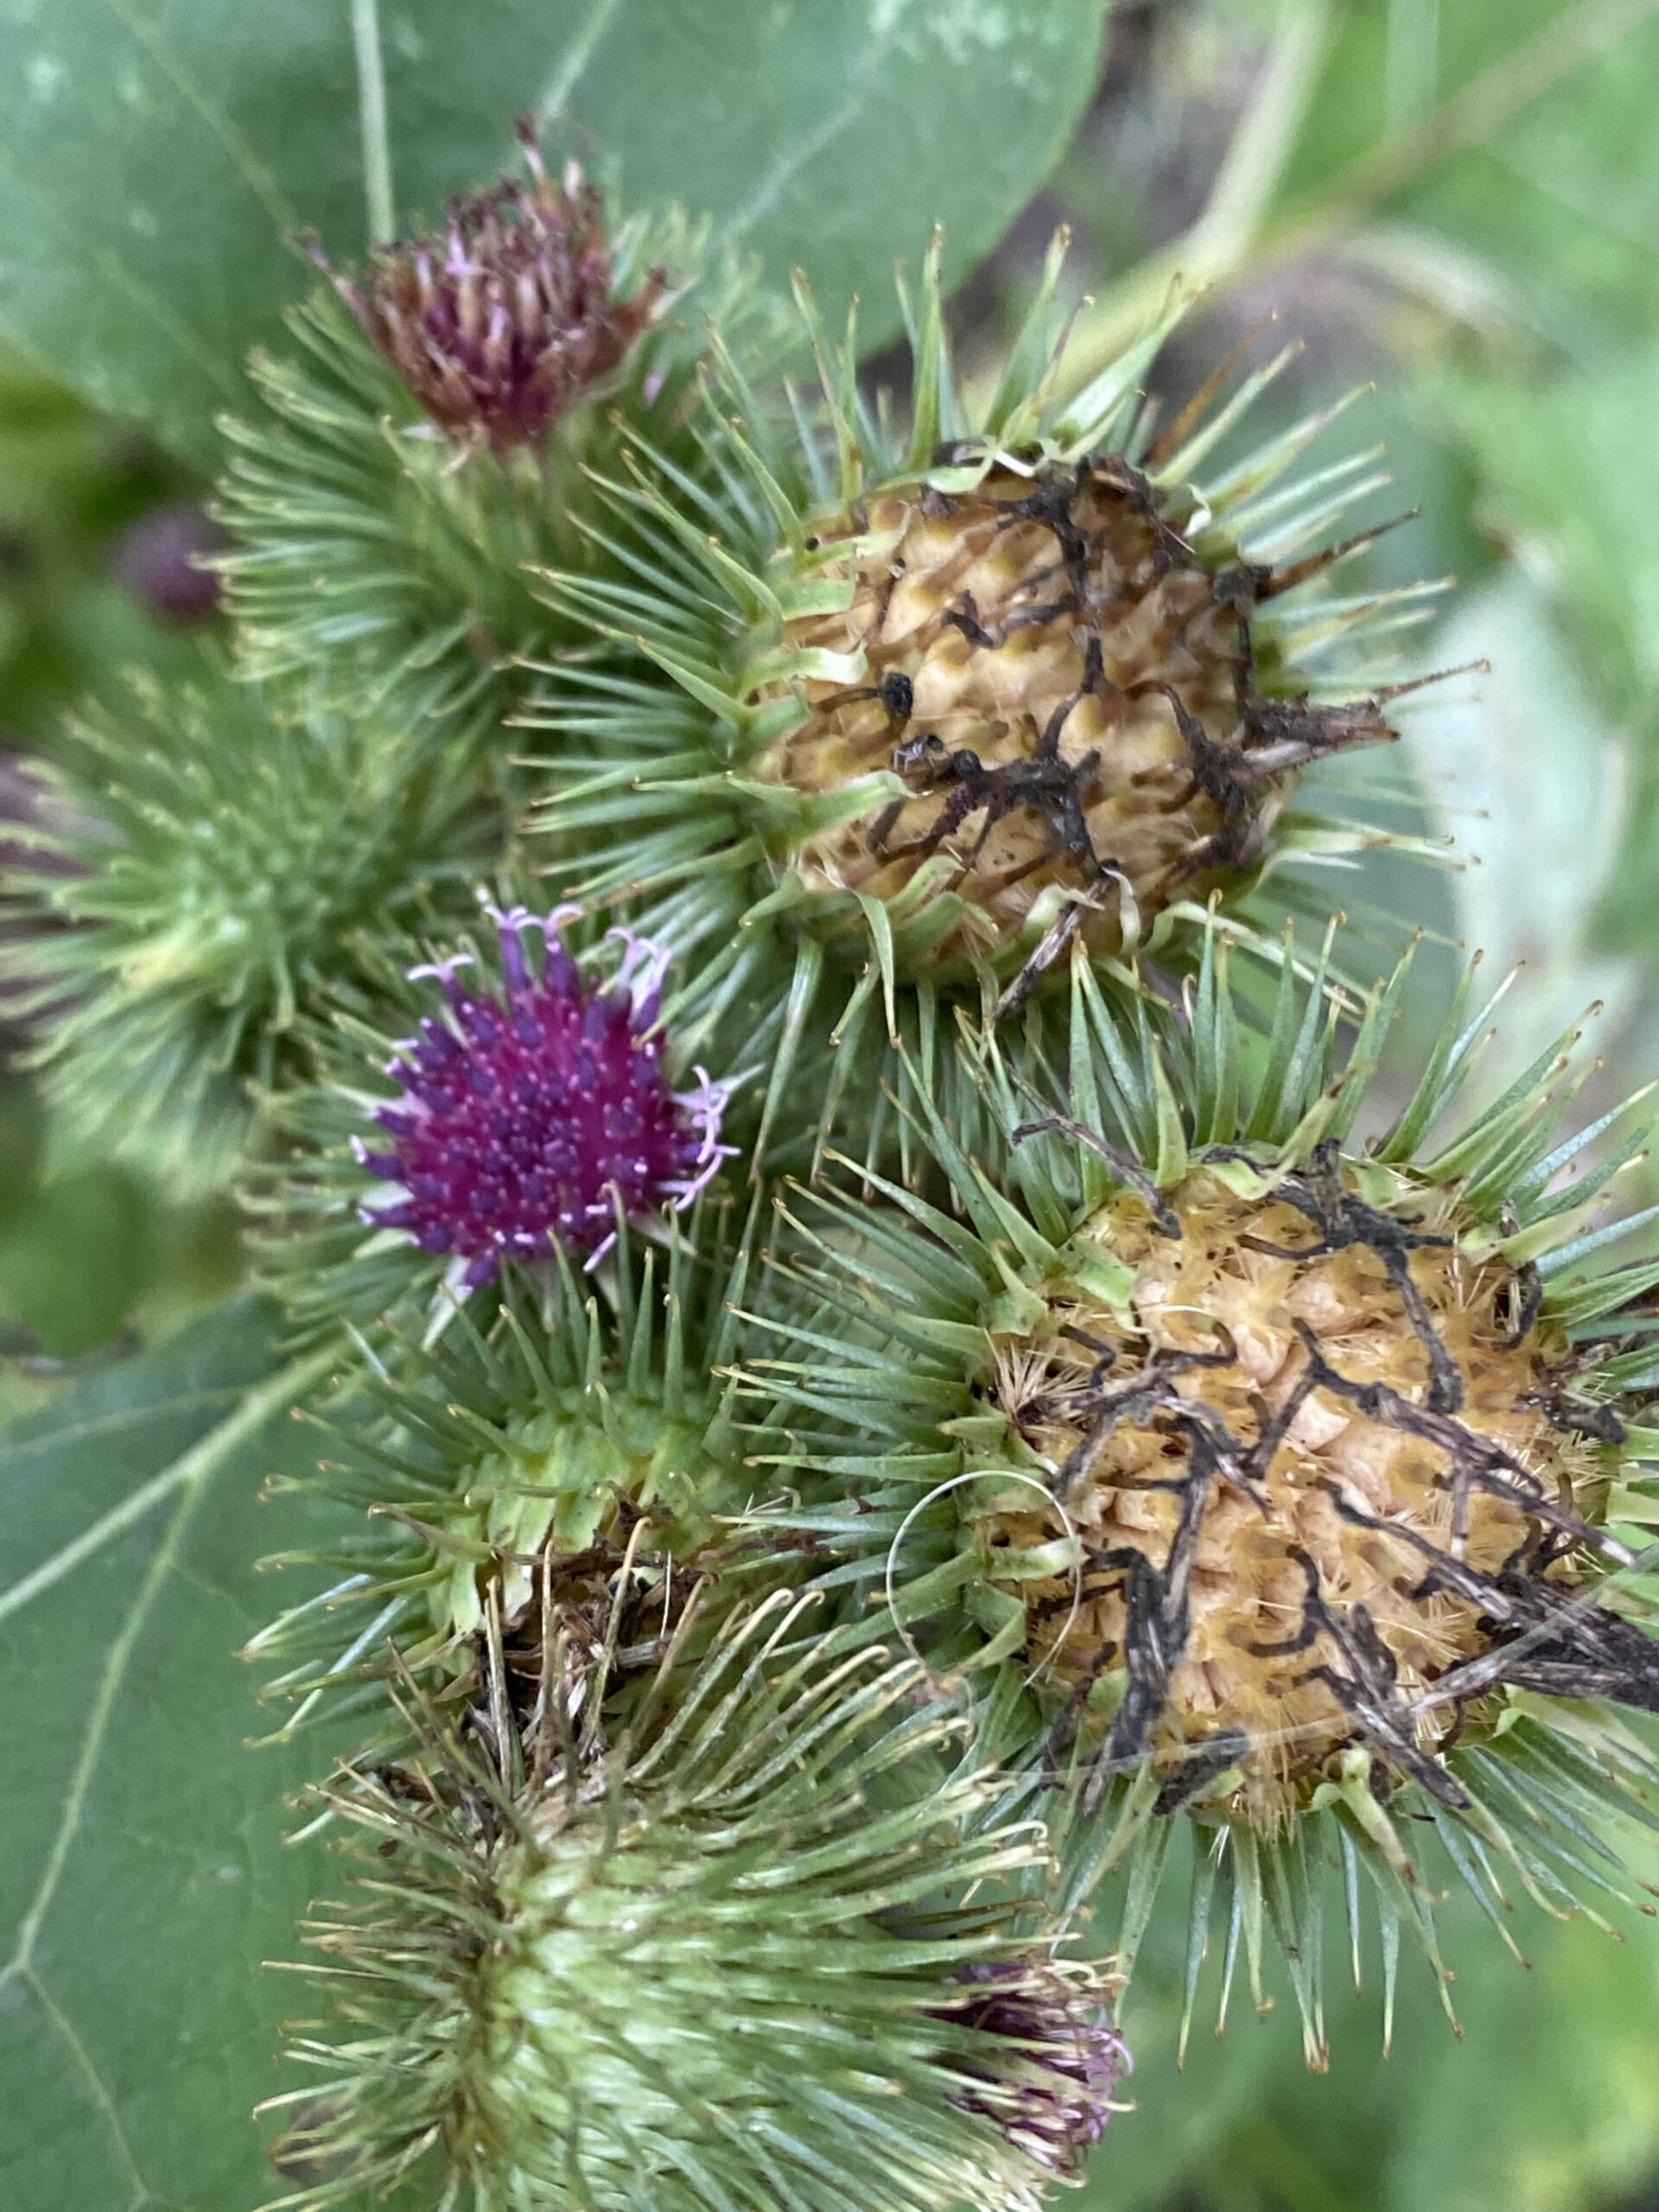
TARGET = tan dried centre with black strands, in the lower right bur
x,y
1324,1472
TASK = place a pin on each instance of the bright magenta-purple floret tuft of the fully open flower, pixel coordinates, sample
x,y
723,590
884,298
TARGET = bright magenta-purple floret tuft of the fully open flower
x,y
534,1116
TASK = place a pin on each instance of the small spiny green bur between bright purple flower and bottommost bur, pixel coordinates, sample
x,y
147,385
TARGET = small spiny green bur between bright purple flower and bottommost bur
x,y
574,1450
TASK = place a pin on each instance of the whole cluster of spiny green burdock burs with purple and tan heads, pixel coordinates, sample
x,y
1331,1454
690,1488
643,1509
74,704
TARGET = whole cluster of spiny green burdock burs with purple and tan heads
x,y
890,1346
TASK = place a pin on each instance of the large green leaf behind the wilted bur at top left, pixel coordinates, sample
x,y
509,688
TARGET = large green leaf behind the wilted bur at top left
x,y
156,154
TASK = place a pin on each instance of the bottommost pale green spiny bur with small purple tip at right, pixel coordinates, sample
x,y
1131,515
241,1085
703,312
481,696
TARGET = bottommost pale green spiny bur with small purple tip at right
x,y
720,1965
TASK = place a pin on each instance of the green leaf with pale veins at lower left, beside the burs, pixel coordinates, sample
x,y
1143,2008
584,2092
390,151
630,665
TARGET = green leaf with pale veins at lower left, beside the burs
x,y
145,1872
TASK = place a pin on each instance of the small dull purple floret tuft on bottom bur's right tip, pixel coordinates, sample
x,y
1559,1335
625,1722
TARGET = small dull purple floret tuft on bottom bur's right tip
x,y
1050,2085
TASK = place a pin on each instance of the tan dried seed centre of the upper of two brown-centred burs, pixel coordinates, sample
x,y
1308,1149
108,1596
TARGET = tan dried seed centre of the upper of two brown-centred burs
x,y
1065,689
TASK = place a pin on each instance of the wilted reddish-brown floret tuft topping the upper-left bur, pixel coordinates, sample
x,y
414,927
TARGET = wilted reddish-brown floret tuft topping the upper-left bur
x,y
503,320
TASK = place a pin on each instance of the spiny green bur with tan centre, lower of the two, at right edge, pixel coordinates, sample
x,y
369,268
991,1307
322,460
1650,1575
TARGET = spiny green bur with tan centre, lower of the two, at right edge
x,y
1273,1472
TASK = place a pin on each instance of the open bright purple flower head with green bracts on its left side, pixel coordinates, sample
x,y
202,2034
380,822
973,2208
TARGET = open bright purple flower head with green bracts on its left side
x,y
534,1112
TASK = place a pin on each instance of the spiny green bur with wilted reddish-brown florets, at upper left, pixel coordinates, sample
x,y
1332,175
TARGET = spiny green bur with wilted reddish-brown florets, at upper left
x,y
430,428
